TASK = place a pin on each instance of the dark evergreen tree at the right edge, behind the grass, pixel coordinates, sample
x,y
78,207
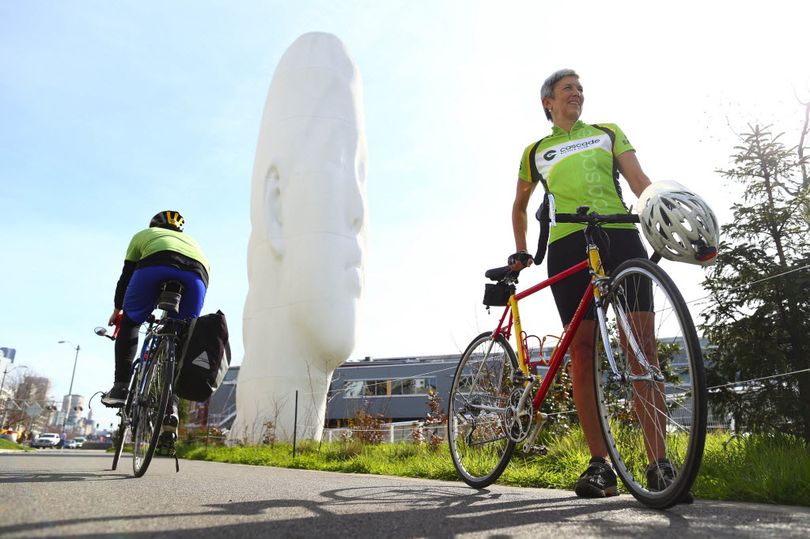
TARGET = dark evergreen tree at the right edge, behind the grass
x,y
759,320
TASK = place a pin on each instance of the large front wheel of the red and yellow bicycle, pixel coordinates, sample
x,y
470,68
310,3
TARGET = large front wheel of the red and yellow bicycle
x,y
643,421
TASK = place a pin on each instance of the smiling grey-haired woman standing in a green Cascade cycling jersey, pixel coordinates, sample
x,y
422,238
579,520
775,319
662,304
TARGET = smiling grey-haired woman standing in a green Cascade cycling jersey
x,y
579,165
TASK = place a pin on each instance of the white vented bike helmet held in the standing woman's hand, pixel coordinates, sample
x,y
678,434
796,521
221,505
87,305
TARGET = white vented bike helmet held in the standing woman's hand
x,y
678,224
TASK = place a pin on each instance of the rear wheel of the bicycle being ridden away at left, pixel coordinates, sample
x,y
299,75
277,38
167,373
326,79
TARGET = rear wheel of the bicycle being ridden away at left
x,y
153,400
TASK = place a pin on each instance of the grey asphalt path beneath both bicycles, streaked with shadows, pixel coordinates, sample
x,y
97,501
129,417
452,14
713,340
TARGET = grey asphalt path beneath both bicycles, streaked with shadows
x,y
71,493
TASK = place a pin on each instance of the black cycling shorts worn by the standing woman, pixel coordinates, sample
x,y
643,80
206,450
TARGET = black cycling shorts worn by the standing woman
x,y
615,246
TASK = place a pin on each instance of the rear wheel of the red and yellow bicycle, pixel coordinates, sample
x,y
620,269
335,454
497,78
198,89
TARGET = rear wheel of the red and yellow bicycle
x,y
479,445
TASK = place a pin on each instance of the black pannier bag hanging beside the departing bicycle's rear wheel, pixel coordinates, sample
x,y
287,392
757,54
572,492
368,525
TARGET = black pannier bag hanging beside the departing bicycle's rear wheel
x,y
205,359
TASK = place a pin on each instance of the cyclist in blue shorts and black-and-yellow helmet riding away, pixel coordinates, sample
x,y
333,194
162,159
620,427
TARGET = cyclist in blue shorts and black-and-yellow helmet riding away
x,y
155,255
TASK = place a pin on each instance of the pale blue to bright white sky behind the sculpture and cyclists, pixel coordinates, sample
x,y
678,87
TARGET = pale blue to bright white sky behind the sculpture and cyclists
x,y
112,111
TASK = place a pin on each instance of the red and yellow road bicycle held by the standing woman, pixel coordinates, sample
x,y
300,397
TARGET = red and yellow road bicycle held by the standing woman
x,y
648,376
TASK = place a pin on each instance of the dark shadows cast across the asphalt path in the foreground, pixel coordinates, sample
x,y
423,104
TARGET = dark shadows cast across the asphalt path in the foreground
x,y
417,511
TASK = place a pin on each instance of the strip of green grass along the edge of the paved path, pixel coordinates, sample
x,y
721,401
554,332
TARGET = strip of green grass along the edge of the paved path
x,y
761,468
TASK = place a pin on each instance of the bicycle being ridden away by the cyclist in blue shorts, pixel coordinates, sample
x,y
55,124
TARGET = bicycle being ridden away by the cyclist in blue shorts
x,y
151,382
